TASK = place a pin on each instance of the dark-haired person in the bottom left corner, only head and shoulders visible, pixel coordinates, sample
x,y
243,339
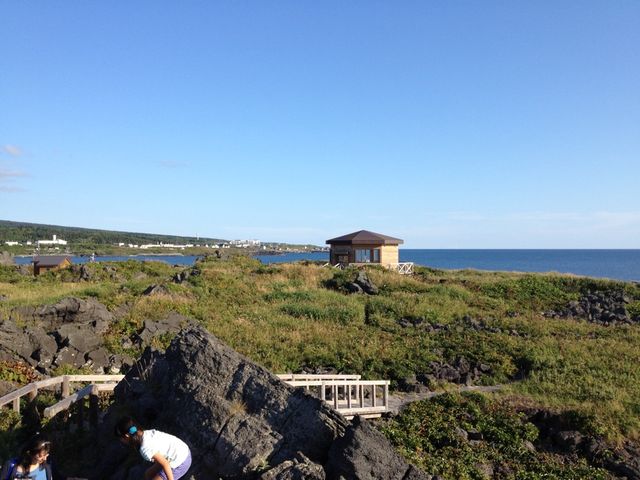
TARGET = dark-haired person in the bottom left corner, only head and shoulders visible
x,y
32,463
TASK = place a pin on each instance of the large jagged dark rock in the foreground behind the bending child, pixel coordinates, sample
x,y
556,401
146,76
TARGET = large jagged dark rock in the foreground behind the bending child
x,y
241,421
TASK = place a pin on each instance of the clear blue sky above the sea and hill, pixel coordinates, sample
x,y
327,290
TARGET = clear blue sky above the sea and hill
x,y
493,124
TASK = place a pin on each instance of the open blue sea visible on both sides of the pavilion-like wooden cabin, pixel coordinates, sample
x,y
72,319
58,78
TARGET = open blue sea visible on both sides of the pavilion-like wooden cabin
x,y
615,264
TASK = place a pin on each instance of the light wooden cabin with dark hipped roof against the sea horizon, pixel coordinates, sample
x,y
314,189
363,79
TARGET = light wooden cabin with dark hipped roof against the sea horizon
x,y
364,247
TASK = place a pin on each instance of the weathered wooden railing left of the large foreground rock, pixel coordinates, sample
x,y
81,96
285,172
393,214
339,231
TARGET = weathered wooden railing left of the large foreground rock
x,y
99,383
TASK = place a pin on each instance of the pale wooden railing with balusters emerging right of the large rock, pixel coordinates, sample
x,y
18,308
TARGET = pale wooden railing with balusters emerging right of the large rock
x,y
348,394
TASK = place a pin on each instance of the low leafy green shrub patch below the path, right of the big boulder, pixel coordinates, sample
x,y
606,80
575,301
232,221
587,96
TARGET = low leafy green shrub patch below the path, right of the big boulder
x,y
432,435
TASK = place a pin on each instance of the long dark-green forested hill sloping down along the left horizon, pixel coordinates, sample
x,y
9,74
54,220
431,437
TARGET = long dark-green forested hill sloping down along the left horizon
x,y
22,232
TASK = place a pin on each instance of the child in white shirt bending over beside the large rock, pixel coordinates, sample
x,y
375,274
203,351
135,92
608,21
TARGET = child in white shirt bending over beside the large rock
x,y
171,457
